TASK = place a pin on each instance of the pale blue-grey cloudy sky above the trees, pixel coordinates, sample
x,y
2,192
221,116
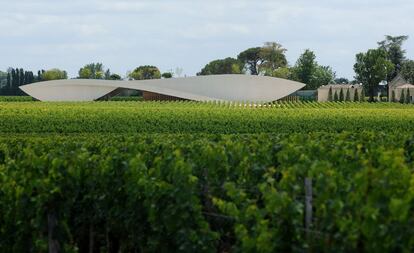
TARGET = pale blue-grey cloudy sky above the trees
x,y
43,34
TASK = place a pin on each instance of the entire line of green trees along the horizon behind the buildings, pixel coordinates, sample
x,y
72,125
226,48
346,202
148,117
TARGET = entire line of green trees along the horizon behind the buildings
x,y
372,68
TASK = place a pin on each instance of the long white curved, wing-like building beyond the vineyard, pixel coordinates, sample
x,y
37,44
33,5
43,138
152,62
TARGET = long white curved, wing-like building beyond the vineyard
x,y
199,88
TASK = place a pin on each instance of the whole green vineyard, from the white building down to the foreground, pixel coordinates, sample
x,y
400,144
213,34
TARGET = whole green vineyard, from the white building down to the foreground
x,y
206,177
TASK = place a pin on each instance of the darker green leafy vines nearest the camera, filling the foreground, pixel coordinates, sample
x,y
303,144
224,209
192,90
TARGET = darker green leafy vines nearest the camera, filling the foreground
x,y
208,193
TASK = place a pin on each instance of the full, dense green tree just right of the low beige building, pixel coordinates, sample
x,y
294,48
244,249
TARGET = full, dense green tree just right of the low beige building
x,y
371,69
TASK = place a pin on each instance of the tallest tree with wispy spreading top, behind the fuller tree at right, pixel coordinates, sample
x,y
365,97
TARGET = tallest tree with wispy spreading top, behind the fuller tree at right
x,y
395,54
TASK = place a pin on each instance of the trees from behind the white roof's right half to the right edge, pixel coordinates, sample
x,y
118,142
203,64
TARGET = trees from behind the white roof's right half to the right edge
x,y
372,68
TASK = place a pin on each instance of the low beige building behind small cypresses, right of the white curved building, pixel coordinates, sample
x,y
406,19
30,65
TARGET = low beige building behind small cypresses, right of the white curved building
x,y
323,91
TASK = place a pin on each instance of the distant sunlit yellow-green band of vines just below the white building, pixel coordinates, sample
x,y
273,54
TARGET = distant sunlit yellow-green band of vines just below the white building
x,y
192,117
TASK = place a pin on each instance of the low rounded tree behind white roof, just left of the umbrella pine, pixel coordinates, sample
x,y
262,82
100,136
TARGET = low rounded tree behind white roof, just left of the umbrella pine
x,y
223,66
